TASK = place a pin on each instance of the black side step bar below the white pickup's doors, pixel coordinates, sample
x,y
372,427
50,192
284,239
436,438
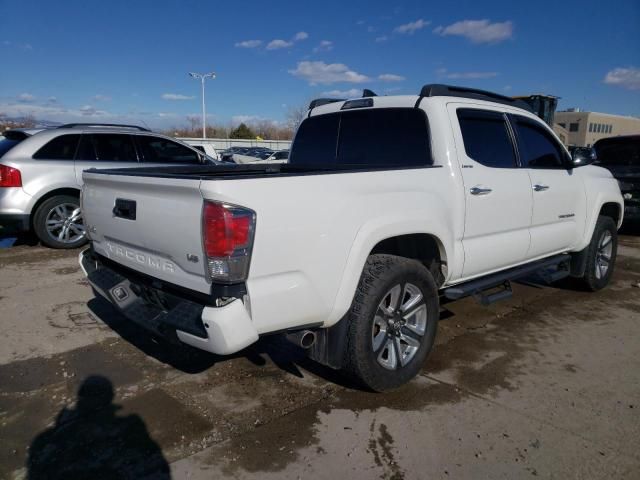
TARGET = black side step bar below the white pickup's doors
x,y
550,269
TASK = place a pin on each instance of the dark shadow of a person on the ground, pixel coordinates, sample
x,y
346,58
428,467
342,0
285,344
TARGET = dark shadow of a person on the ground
x,y
93,442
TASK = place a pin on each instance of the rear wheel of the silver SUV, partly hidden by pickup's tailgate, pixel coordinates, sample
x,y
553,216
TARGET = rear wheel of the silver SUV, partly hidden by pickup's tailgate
x,y
58,222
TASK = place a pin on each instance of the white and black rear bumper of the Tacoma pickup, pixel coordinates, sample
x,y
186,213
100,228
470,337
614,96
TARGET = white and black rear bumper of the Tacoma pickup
x,y
220,330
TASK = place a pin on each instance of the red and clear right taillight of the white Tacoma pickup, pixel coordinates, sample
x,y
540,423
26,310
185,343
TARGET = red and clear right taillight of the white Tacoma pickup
x,y
228,240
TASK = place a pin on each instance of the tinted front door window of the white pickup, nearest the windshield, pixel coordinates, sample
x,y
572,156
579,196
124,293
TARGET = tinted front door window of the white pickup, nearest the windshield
x,y
537,147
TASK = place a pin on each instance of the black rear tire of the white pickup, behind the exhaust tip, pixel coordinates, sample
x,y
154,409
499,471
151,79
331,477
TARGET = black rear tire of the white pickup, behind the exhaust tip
x,y
381,274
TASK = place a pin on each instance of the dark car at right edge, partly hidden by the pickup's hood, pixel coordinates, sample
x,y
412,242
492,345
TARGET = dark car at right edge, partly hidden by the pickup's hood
x,y
621,155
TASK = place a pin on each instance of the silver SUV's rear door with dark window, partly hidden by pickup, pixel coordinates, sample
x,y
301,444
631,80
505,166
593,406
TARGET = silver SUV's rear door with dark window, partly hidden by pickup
x,y
105,150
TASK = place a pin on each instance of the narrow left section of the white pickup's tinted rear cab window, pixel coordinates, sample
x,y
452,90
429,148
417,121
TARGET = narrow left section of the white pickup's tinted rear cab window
x,y
315,142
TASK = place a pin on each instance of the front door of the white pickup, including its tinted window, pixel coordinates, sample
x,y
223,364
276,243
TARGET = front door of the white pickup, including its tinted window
x,y
559,198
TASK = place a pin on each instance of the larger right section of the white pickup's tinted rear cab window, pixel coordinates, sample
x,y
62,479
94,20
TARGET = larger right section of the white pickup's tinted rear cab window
x,y
390,136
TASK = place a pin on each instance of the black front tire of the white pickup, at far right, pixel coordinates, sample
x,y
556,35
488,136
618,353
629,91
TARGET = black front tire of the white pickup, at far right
x,y
594,278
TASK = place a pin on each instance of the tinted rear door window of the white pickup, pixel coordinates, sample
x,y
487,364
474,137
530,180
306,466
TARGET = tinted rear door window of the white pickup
x,y
486,138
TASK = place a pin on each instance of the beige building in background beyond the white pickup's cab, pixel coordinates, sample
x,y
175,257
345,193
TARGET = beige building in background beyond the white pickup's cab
x,y
584,128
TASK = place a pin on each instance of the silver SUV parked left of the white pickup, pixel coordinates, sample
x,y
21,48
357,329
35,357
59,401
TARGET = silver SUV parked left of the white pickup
x,y
41,172
